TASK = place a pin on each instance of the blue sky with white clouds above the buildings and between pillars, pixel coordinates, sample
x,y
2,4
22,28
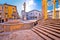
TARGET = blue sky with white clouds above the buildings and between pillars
x,y
30,4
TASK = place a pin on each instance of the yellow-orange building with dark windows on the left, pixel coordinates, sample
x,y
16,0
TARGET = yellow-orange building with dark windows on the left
x,y
8,11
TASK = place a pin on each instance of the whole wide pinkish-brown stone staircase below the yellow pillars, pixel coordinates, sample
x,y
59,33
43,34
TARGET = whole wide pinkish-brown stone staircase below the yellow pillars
x,y
48,29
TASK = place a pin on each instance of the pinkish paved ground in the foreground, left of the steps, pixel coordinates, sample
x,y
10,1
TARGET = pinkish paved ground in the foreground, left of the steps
x,y
23,35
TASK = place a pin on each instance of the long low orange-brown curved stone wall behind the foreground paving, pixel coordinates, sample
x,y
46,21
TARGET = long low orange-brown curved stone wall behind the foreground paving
x,y
10,27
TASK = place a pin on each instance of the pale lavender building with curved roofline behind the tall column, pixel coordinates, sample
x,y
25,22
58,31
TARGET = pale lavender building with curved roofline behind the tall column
x,y
32,15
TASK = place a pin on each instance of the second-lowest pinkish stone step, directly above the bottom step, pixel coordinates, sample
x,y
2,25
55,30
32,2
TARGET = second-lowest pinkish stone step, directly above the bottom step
x,y
46,33
